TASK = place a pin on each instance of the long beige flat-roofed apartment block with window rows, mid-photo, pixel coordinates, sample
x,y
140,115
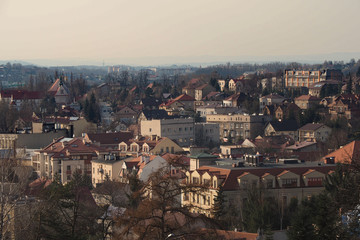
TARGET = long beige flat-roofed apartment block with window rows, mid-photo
x,y
239,126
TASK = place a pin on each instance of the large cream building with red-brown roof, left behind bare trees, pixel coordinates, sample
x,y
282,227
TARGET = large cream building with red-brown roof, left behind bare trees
x,y
66,156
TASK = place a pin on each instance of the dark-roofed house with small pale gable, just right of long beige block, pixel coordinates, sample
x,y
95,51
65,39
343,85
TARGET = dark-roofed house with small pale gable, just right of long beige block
x,y
286,127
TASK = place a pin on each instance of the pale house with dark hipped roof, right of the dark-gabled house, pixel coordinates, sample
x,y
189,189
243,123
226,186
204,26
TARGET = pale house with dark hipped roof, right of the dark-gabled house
x,y
314,132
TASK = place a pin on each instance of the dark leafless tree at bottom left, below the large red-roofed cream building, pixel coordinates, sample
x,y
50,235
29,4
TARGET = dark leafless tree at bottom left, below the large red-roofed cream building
x,y
68,211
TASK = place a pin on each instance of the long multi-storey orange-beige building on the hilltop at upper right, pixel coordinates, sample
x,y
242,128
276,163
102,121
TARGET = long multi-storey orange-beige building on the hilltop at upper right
x,y
299,78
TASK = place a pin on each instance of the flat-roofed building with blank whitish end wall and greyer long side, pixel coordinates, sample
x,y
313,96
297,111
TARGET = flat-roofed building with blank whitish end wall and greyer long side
x,y
181,130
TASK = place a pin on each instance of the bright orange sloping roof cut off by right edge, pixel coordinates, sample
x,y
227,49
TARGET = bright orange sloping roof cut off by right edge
x,y
347,154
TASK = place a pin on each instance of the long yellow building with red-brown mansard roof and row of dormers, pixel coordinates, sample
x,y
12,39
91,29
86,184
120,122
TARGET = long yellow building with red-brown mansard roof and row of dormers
x,y
284,182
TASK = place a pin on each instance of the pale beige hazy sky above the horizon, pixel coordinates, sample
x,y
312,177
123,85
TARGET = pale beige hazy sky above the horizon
x,y
142,31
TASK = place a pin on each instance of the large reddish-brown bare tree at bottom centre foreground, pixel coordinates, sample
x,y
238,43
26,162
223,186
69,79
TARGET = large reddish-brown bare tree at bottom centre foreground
x,y
157,215
